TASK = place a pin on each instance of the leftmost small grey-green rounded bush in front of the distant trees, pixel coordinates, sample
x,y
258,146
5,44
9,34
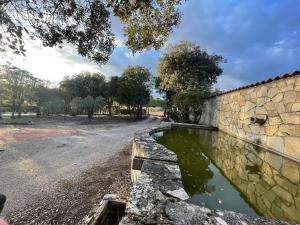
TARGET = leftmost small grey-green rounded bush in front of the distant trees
x,y
54,107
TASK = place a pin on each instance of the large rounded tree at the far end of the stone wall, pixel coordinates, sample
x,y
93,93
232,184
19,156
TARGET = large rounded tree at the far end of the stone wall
x,y
186,74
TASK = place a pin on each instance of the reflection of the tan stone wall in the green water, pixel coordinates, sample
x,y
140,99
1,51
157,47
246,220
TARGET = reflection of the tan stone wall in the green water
x,y
271,183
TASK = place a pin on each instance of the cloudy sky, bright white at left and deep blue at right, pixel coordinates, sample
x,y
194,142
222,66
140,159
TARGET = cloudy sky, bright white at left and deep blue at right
x,y
259,38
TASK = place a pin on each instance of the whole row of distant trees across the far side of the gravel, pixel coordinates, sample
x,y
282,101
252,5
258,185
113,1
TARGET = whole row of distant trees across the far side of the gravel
x,y
84,93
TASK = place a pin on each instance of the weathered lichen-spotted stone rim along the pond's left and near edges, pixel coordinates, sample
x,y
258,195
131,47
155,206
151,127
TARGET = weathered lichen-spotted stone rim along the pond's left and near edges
x,y
157,194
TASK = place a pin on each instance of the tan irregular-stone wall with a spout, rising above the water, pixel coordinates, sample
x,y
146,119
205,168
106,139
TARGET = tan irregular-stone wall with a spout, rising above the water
x,y
277,101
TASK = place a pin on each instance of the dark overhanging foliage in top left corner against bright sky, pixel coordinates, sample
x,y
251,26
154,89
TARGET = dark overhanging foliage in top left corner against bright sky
x,y
84,24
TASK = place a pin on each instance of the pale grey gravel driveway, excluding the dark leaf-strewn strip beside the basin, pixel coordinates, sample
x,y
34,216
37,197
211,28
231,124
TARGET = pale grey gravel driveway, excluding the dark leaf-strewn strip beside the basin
x,y
34,168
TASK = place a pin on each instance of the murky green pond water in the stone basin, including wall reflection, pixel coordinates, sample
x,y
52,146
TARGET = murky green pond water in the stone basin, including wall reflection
x,y
223,172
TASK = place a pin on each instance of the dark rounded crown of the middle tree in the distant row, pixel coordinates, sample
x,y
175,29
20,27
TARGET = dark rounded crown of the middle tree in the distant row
x,y
83,85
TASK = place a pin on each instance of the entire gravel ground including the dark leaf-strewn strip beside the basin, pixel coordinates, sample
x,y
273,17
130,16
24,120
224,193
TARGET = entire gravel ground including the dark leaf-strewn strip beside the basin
x,y
59,178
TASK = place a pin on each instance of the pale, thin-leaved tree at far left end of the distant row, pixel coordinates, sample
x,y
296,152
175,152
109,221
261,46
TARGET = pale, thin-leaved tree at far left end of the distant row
x,y
20,87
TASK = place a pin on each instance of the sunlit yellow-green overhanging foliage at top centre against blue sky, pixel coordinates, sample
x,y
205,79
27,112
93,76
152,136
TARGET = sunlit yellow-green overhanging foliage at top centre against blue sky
x,y
147,23
